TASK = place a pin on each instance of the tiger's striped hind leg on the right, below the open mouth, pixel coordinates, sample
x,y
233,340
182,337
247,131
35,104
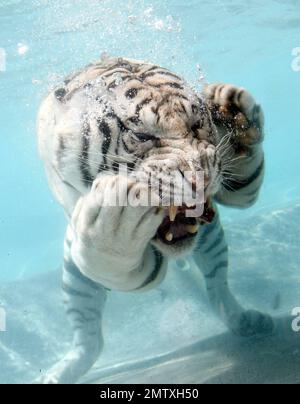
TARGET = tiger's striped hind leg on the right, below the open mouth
x,y
211,256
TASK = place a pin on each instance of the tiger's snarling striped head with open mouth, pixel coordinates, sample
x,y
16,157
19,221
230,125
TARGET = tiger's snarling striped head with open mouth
x,y
164,129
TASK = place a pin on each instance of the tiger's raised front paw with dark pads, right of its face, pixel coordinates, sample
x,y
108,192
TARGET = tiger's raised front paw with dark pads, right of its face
x,y
235,112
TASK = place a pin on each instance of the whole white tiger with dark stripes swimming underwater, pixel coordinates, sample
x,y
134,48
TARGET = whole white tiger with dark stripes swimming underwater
x,y
120,111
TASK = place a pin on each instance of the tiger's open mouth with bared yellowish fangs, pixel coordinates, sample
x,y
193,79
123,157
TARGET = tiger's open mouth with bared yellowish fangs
x,y
177,227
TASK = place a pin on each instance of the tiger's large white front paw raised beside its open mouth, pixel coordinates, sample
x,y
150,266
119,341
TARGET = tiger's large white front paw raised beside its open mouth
x,y
114,225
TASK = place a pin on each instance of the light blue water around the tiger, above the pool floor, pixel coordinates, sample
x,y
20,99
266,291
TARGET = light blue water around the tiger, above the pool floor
x,y
246,43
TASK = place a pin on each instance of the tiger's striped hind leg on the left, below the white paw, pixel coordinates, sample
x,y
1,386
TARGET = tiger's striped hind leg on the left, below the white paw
x,y
84,301
